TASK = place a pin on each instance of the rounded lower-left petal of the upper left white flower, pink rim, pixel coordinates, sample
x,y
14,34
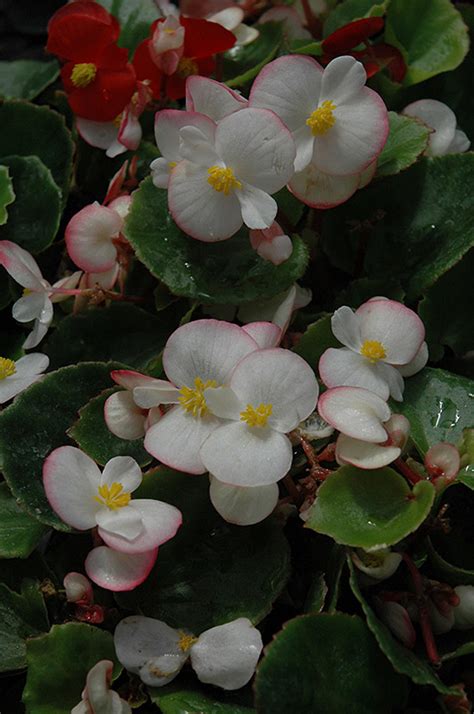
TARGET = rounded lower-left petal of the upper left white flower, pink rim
x,y
200,210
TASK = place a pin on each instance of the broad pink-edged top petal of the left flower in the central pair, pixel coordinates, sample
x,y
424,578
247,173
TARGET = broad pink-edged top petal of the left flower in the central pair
x,y
208,349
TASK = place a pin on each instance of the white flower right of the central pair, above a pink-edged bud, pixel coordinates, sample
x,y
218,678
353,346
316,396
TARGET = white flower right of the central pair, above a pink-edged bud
x,y
379,337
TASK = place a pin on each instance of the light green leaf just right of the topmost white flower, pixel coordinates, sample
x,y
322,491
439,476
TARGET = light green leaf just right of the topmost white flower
x,y
407,140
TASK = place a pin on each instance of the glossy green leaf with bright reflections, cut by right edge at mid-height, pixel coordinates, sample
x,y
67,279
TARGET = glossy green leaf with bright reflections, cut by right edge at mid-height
x,y
439,405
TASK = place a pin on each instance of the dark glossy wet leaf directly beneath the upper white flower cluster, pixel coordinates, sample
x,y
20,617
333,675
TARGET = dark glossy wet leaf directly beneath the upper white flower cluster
x,y
226,272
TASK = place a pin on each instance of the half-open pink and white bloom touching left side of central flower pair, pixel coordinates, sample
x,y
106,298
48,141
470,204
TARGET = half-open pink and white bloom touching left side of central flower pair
x,y
128,417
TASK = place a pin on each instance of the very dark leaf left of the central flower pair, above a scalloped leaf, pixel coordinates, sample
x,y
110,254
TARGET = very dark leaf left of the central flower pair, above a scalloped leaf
x,y
121,332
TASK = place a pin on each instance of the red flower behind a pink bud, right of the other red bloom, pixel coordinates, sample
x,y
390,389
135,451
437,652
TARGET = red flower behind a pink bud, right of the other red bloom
x,y
202,40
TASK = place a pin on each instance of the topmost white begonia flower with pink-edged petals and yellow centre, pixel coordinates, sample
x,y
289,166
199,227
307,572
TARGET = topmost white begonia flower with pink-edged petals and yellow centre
x,y
339,125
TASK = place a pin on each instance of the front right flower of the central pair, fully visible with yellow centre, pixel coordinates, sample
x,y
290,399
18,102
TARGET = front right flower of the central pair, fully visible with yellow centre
x,y
270,392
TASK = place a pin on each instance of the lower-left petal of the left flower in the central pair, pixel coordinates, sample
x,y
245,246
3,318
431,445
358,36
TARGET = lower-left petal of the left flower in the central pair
x,y
176,440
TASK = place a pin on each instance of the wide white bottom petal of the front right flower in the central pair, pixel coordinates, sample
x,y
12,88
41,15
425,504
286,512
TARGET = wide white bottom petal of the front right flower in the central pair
x,y
247,456
